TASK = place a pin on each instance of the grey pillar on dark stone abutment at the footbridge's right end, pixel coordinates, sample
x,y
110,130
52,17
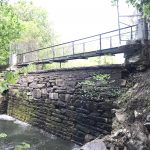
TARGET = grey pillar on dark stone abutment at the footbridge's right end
x,y
140,56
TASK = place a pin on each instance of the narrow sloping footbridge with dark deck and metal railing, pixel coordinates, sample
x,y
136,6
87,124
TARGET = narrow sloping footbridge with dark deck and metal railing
x,y
112,42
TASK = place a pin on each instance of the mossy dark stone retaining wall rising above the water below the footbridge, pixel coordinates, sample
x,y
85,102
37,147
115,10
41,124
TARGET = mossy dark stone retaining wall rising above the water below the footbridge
x,y
74,104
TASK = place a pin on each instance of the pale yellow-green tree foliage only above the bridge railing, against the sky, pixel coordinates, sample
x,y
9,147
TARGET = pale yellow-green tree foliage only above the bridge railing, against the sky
x,y
37,29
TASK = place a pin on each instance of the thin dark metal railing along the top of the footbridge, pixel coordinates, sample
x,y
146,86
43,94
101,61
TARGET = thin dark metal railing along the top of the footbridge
x,y
97,42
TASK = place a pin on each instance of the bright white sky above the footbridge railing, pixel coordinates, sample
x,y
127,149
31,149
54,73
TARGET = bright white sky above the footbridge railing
x,y
73,19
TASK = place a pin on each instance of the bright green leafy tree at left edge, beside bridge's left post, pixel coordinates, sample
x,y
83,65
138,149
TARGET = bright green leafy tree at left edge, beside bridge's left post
x,y
10,28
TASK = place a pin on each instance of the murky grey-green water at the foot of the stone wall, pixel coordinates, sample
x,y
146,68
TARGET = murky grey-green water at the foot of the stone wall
x,y
18,132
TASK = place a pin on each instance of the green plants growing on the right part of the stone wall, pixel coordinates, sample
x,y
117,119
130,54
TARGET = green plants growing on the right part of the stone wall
x,y
97,85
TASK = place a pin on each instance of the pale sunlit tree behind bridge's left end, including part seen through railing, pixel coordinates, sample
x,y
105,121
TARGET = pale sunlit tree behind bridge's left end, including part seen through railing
x,y
37,30
